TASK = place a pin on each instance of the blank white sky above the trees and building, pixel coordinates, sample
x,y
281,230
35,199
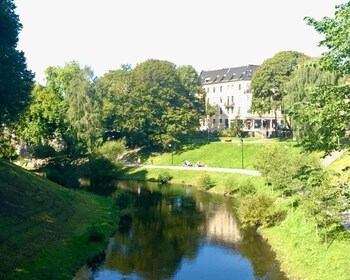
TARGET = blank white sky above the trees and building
x,y
209,35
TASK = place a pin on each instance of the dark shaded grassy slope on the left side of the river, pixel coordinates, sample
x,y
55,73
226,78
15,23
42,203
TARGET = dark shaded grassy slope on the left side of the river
x,y
44,227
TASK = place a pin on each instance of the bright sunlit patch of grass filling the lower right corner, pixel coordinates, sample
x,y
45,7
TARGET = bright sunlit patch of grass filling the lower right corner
x,y
304,257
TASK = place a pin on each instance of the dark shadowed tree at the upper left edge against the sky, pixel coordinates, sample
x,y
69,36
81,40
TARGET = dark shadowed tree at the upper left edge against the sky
x,y
15,79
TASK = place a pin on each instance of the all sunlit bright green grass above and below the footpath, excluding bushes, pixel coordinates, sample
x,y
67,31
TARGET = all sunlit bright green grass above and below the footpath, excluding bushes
x,y
302,255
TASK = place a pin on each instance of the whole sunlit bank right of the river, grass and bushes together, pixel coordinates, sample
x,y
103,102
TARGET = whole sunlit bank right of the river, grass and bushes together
x,y
302,225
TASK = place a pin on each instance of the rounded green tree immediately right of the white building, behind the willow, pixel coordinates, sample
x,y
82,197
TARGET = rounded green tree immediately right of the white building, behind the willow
x,y
269,80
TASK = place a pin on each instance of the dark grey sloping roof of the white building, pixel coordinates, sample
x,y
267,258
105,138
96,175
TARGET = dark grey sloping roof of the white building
x,y
228,74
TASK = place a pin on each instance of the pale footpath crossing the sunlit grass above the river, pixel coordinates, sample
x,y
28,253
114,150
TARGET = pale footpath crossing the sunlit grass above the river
x,y
209,169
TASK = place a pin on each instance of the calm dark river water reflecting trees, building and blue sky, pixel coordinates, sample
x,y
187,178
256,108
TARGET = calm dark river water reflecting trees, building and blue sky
x,y
176,232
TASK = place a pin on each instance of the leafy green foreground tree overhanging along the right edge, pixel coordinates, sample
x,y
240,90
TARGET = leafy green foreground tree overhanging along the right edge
x,y
326,110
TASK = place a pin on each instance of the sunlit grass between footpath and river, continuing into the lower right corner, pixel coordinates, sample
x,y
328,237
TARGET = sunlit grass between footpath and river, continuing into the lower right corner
x,y
302,255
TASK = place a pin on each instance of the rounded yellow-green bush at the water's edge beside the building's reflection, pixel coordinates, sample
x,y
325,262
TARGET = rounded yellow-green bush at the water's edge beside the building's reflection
x,y
255,210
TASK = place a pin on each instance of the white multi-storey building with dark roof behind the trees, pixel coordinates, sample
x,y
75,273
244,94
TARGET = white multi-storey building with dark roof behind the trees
x,y
228,90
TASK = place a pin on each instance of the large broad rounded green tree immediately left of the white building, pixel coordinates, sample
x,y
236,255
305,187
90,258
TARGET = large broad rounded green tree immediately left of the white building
x,y
154,104
